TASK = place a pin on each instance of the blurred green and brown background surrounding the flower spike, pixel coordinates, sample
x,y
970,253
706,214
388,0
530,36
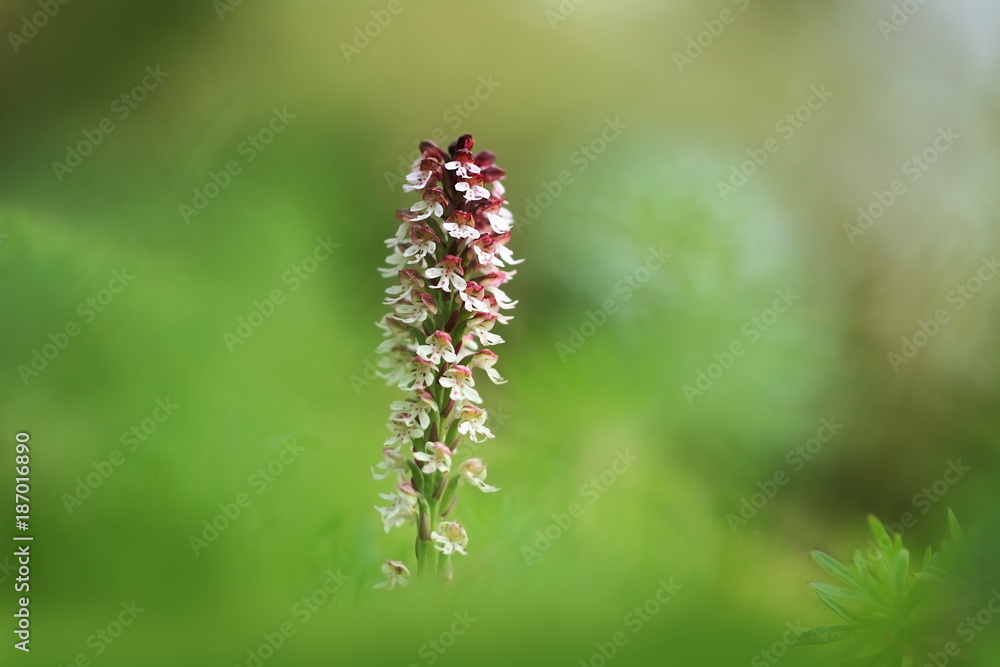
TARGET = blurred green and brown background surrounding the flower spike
x,y
538,82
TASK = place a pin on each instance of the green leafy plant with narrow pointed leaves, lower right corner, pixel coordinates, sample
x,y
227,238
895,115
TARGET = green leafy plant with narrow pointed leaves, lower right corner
x,y
891,606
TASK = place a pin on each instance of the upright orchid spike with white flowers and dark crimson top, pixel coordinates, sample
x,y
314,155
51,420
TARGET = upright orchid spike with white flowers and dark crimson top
x,y
445,299
